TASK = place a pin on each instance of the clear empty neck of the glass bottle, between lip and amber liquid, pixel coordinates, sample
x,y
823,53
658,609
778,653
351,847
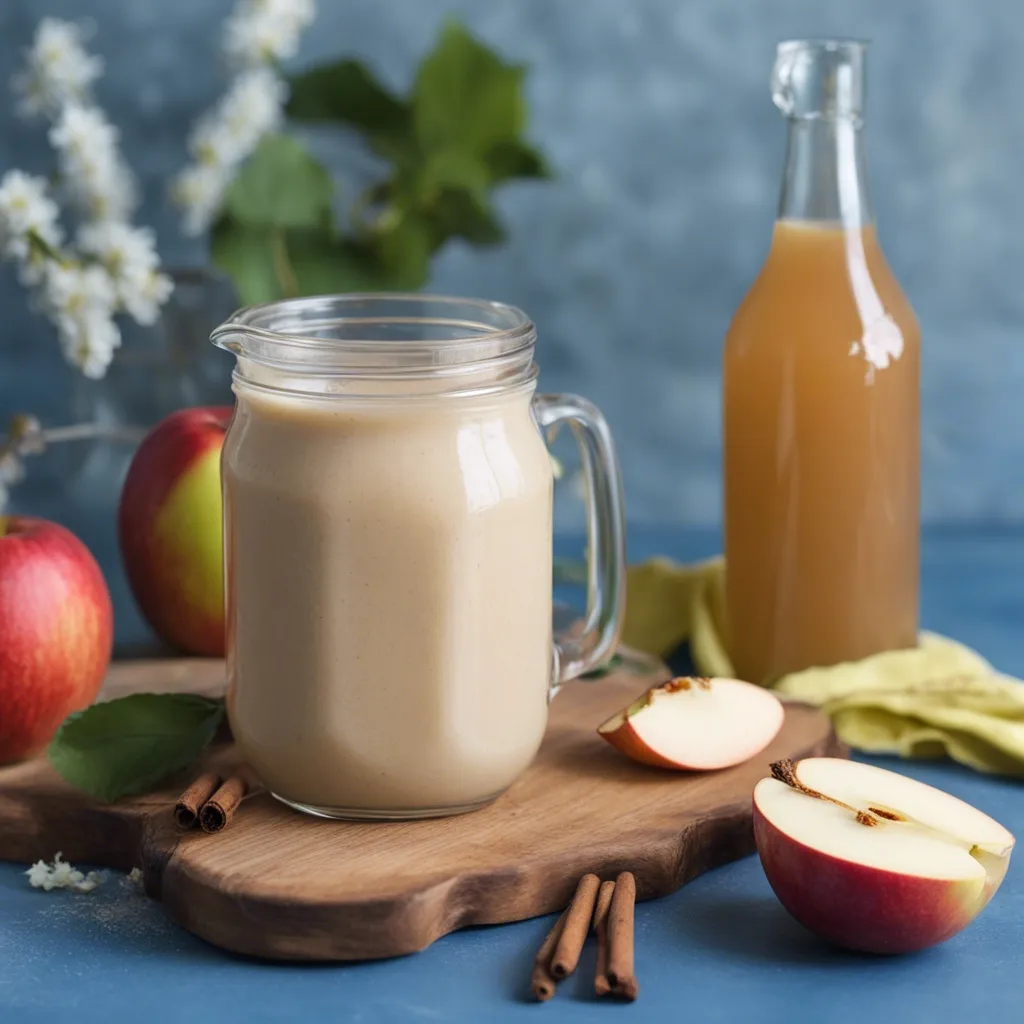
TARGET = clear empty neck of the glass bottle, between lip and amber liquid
x,y
826,176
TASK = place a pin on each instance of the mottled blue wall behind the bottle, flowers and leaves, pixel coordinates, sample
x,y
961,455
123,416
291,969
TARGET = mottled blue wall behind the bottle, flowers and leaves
x,y
658,118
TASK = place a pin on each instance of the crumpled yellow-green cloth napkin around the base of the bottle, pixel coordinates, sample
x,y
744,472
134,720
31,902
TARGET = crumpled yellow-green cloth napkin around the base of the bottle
x,y
940,699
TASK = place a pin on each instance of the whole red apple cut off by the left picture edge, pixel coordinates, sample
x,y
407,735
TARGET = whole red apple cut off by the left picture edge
x,y
57,631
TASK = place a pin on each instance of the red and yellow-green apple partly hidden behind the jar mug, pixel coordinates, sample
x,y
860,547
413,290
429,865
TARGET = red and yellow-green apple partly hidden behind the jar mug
x,y
169,527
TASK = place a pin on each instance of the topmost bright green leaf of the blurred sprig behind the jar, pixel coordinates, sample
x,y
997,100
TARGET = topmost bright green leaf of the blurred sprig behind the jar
x,y
466,97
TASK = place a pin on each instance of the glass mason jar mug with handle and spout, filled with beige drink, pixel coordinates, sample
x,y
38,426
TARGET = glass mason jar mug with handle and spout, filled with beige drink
x,y
389,518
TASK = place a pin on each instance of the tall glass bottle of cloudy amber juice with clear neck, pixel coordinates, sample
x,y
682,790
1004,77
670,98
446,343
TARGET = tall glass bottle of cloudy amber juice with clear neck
x,y
822,403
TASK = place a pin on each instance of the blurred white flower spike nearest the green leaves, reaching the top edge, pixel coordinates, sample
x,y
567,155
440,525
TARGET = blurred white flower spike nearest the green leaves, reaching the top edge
x,y
259,34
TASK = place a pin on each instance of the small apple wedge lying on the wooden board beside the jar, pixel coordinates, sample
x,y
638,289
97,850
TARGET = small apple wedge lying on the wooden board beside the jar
x,y
697,724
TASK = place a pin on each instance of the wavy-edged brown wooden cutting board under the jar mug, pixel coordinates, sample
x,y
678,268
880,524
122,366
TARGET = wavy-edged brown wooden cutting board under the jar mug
x,y
281,885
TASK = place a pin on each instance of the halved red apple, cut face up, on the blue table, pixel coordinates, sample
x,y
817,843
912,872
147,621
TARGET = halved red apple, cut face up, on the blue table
x,y
874,861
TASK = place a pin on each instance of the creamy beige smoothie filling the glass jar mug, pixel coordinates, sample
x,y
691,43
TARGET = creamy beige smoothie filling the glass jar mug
x,y
390,596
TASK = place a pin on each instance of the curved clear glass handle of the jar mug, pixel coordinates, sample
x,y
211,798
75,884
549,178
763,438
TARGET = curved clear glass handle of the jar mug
x,y
579,651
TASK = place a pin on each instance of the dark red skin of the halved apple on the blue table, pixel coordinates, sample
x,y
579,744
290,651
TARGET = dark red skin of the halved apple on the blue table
x,y
862,908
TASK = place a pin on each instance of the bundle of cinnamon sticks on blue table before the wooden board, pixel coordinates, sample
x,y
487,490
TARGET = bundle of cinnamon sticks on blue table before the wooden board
x,y
608,910
